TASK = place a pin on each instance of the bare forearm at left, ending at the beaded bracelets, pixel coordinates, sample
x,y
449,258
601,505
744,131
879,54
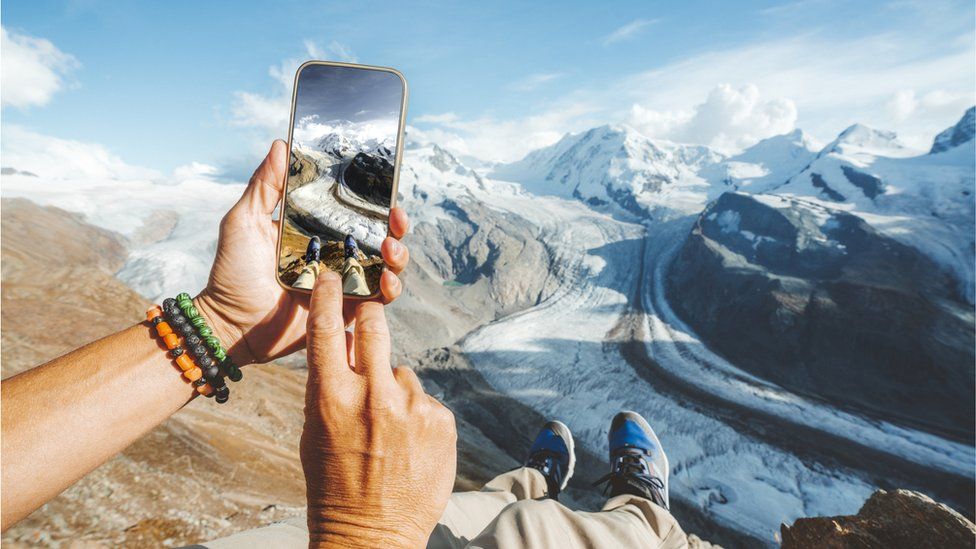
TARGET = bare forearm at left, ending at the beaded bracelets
x,y
67,417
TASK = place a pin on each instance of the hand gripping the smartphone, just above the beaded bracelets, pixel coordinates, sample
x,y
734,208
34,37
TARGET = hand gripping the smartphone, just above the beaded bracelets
x,y
253,316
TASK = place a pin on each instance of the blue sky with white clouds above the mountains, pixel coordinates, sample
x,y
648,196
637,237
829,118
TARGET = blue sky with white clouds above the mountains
x,y
160,87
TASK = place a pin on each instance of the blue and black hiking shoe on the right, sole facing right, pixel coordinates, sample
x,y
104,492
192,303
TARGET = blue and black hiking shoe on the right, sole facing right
x,y
638,465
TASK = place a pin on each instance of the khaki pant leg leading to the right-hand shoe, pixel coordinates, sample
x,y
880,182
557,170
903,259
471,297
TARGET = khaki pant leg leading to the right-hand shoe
x,y
625,521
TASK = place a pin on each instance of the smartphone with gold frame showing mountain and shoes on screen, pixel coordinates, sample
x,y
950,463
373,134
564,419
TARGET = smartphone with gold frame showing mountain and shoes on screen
x,y
345,142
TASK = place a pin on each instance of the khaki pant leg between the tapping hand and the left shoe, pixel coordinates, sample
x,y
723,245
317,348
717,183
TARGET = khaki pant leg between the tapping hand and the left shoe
x,y
468,513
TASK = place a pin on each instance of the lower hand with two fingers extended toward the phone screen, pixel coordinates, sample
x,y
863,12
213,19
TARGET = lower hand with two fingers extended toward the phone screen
x,y
379,454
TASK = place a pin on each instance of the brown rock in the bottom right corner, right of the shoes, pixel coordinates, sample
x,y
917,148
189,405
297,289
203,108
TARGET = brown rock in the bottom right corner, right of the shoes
x,y
899,518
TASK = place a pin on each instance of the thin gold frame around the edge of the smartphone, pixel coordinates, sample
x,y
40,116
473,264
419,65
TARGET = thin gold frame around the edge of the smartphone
x,y
398,158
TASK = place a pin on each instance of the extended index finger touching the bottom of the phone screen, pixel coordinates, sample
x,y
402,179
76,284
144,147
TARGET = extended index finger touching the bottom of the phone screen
x,y
327,355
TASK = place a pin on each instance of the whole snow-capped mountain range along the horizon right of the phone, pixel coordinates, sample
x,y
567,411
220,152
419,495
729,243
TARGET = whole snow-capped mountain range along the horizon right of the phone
x,y
924,200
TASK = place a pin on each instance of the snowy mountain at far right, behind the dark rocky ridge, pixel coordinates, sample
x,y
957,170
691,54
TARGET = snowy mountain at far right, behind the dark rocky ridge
x,y
923,200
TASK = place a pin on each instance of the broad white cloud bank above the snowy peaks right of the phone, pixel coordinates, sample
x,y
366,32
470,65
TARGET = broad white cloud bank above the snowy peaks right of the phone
x,y
757,90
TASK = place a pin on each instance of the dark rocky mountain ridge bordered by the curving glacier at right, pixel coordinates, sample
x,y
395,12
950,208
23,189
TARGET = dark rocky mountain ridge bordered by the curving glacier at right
x,y
819,302
